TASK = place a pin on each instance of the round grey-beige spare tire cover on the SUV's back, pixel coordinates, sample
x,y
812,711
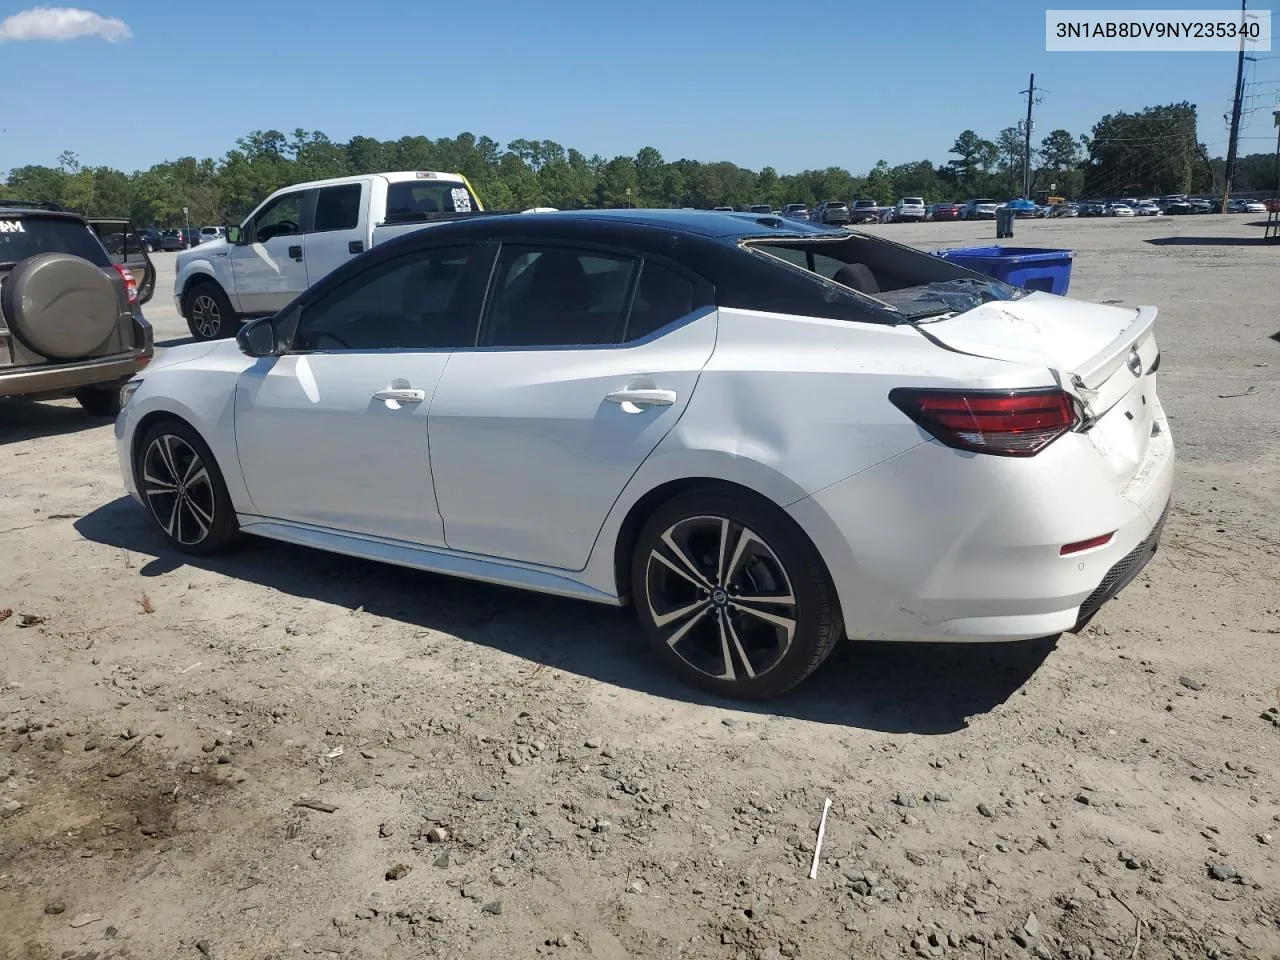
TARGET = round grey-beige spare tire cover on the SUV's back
x,y
60,305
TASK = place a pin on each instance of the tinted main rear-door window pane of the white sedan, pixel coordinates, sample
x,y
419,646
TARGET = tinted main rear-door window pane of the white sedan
x,y
557,298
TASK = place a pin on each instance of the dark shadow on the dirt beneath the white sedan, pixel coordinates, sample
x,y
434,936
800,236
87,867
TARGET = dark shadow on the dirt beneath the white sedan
x,y
892,688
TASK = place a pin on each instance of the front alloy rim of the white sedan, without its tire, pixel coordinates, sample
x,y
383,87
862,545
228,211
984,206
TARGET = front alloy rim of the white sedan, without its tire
x,y
179,490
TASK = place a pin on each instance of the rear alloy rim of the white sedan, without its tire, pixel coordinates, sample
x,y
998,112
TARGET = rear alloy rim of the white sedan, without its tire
x,y
721,598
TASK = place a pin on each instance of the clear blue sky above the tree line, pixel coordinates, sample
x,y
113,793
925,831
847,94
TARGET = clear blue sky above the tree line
x,y
794,85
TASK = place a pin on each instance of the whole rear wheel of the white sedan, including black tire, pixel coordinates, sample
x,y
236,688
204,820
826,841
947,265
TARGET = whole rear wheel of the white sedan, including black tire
x,y
691,616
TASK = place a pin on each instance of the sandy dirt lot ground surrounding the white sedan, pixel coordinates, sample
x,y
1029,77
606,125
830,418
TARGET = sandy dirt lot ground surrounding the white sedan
x,y
509,776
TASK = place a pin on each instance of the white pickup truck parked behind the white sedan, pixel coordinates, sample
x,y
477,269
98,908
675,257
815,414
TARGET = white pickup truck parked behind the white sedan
x,y
301,234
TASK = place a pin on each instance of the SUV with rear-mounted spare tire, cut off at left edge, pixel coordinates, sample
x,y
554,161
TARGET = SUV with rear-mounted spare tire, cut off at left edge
x,y
70,324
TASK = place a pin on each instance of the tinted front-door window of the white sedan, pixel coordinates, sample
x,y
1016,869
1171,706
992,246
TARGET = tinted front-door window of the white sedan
x,y
418,301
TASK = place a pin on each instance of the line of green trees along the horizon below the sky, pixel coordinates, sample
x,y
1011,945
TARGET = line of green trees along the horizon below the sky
x,y
1153,152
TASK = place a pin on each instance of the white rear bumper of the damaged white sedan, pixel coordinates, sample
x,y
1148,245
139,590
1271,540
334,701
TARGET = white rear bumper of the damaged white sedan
x,y
936,545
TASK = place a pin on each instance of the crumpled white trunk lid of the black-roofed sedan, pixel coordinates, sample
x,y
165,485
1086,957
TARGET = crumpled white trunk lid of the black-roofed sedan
x,y
1103,355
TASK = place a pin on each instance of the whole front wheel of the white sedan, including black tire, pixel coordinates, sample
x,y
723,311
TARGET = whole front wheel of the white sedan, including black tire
x,y
184,490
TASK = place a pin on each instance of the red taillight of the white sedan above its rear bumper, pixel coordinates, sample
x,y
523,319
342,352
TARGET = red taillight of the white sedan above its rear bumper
x,y
1007,424
